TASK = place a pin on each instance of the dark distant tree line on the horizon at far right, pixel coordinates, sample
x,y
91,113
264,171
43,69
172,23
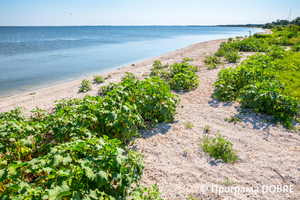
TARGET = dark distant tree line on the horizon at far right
x,y
278,22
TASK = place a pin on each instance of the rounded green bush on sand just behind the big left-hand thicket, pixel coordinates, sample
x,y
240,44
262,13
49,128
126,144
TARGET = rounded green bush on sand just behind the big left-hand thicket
x,y
179,76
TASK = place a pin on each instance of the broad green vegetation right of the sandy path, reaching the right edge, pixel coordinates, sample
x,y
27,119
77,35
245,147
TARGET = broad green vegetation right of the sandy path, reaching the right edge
x,y
269,83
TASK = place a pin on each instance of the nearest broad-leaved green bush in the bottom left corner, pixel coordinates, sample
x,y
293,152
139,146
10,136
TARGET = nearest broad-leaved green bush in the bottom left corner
x,y
95,168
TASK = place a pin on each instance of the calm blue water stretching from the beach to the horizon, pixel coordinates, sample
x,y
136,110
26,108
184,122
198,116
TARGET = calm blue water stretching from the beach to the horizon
x,y
36,57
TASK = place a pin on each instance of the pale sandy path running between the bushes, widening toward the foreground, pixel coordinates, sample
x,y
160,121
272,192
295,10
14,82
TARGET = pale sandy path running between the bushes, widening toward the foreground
x,y
265,150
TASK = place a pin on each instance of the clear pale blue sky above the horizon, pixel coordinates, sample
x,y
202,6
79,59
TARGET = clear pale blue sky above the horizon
x,y
144,12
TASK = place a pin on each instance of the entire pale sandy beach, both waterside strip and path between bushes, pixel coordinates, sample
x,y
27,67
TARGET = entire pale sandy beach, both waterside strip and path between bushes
x,y
269,154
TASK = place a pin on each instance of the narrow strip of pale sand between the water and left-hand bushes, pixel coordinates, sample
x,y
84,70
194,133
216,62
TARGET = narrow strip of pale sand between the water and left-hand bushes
x,y
44,98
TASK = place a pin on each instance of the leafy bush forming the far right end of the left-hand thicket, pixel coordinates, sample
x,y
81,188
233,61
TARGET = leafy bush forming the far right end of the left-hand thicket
x,y
153,98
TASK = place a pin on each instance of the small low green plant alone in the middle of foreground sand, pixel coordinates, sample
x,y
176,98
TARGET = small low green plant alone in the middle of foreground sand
x,y
218,147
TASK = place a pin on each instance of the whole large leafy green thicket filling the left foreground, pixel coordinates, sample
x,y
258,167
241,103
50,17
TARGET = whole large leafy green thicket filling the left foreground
x,y
76,151
